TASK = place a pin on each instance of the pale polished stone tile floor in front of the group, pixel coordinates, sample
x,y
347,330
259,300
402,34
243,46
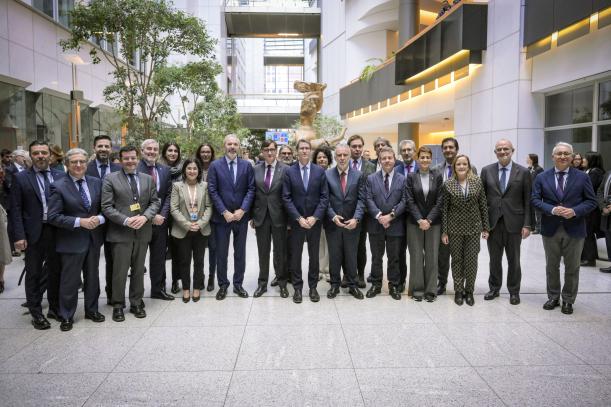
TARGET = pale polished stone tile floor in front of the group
x,y
269,351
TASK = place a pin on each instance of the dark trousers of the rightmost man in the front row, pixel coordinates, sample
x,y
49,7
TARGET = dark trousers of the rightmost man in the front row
x,y
557,247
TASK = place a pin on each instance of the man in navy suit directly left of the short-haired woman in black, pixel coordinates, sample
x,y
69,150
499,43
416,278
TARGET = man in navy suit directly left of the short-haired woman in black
x,y
386,205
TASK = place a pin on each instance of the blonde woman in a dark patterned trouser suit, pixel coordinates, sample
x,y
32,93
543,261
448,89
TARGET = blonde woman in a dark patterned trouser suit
x,y
465,216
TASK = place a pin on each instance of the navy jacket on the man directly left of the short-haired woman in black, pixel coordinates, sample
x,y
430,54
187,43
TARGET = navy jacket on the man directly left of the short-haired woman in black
x,y
380,202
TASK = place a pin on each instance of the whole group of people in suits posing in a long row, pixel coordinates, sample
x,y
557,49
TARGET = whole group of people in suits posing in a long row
x,y
157,202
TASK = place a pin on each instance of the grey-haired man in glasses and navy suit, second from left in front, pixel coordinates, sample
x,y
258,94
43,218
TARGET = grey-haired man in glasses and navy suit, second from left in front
x,y
75,209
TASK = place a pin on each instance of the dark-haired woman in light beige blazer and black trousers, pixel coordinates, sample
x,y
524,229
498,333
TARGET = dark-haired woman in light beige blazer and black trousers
x,y
191,209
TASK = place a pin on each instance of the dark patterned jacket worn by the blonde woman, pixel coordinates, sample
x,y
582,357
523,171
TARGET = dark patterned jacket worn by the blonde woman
x,y
464,215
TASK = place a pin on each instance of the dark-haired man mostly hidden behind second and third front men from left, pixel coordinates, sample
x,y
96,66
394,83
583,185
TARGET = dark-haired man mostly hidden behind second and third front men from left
x,y
99,168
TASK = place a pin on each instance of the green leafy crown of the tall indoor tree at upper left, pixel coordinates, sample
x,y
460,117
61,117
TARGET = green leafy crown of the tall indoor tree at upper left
x,y
148,31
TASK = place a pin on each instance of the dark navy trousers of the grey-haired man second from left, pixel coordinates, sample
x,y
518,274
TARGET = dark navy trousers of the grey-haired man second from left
x,y
70,281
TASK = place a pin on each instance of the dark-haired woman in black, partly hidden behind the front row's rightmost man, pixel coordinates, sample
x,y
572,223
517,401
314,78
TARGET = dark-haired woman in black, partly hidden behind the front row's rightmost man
x,y
593,164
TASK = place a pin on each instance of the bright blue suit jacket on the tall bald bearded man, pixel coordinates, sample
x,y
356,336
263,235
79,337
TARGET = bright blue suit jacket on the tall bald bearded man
x,y
227,196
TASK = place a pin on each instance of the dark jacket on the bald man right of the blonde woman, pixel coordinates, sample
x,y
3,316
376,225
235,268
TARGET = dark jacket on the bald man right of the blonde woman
x,y
514,204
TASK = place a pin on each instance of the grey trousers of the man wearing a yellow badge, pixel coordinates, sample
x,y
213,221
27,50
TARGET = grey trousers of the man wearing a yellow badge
x,y
128,255
